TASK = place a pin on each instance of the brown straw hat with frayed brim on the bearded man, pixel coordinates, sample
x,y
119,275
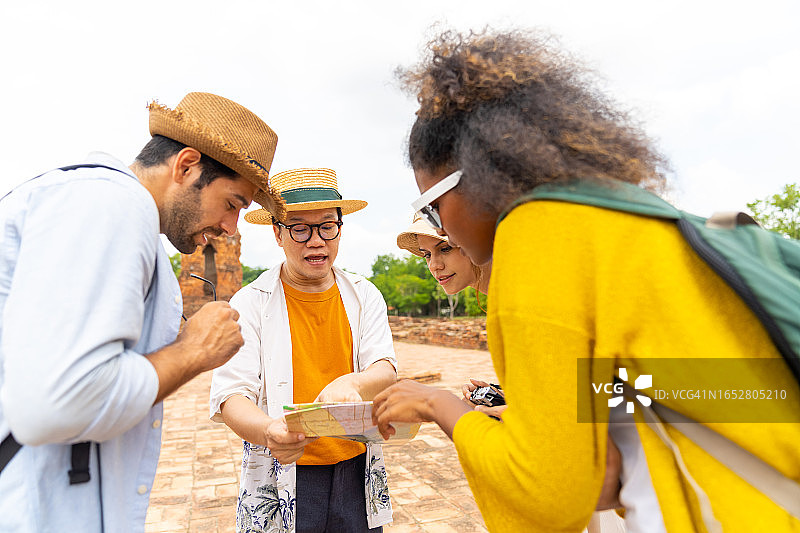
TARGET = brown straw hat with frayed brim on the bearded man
x,y
226,132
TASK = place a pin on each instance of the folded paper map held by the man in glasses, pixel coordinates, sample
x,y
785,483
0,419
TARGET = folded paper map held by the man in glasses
x,y
345,420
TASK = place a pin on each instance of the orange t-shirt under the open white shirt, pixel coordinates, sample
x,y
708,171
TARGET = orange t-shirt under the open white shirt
x,y
322,350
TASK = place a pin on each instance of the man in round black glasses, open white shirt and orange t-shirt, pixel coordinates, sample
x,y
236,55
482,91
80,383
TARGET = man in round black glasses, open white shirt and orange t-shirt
x,y
312,332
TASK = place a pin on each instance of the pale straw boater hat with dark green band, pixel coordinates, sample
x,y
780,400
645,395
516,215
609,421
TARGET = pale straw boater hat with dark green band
x,y
304,189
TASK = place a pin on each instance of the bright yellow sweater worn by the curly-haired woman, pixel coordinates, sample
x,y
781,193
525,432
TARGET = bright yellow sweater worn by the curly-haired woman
x,y
571,281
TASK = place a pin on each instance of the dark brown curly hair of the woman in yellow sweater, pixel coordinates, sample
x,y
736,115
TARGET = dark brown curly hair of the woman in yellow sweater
x,y
511,111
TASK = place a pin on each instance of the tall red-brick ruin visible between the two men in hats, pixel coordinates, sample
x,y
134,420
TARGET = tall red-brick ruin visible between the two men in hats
x,y
218,262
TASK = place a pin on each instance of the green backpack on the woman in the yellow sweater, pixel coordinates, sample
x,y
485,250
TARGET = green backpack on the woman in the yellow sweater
x,y
763,267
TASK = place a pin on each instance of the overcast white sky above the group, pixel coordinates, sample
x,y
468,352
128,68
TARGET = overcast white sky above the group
x,y
717,83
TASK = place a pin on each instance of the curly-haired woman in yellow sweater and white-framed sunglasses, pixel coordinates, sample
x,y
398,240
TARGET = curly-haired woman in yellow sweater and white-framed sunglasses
x,y
500,115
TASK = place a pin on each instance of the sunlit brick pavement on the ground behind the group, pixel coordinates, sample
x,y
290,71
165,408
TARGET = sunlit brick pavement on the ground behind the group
x,y
198,474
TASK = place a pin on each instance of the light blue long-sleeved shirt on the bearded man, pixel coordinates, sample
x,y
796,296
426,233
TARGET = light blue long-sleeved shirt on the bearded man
x,y
86,288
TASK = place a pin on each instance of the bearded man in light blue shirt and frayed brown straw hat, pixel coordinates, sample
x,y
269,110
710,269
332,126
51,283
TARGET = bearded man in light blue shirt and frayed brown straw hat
x,y
91,310
